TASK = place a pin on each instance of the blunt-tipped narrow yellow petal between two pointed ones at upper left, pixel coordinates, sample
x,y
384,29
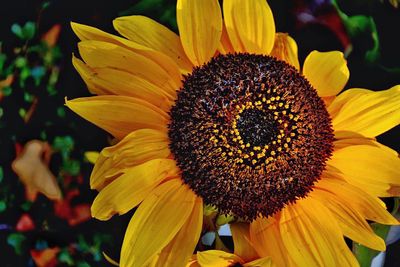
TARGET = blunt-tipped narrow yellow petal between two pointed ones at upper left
x,y
98,54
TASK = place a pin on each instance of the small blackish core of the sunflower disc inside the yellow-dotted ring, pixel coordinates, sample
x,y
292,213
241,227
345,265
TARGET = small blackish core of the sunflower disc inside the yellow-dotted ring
x,y
256,127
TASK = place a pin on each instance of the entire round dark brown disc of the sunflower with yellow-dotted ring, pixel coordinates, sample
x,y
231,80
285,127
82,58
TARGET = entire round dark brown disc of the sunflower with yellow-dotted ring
x,y
250,134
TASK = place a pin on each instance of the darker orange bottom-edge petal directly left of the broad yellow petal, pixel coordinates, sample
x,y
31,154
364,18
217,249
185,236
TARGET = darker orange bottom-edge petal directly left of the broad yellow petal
x,y
267,240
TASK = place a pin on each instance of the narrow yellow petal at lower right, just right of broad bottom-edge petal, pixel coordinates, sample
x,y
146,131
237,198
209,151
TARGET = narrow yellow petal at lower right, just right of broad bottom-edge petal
x,y
350,221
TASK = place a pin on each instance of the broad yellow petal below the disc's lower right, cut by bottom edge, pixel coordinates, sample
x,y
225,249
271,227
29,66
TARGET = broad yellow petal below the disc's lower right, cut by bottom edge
x,y
312,236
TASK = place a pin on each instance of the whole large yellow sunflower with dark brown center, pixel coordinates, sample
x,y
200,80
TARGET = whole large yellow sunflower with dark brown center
x,y
222,115
